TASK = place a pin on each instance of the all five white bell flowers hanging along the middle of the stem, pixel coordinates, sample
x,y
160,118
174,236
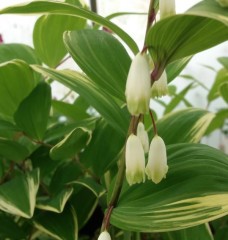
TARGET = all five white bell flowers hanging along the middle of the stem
x,y
138,93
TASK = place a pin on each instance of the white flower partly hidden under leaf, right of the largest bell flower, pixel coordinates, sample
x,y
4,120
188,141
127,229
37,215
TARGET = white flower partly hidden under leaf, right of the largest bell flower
x,y
160,87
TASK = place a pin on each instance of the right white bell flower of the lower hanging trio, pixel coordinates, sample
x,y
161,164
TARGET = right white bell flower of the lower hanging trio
x,y
157,167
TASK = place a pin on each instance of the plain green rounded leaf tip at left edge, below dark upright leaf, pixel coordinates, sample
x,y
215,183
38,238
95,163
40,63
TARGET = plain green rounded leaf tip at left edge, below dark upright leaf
x,y
12,150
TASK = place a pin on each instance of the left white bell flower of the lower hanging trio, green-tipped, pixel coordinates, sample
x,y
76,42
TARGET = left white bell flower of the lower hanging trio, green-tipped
x,y
135,160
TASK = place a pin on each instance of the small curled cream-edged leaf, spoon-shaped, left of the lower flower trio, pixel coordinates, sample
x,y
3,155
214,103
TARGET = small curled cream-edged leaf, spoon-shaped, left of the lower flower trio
x,y
72,144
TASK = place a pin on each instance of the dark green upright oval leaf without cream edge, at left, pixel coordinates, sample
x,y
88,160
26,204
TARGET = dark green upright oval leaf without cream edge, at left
x,y
33,112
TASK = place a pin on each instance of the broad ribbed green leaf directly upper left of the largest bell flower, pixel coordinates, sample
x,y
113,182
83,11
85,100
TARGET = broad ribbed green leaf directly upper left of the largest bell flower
x,y
101,57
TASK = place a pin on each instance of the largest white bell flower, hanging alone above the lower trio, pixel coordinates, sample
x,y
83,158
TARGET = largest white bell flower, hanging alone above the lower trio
x,y
138,85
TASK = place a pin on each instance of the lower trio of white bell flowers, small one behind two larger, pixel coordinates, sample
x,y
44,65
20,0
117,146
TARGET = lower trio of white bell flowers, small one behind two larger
x,y
156,167
